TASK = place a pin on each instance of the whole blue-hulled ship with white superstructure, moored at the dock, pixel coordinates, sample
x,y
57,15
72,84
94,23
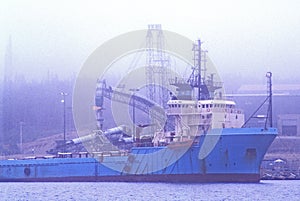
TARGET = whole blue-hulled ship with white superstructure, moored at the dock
x,y
206,141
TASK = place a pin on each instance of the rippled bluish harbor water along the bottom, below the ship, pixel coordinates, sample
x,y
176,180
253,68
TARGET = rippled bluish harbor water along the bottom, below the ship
x,y
265,190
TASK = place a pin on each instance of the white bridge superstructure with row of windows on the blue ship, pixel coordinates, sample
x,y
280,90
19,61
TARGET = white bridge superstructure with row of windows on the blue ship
x,y
198,116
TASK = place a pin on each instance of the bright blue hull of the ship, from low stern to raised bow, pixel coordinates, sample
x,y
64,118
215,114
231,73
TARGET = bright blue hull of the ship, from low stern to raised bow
x,y
235,157
